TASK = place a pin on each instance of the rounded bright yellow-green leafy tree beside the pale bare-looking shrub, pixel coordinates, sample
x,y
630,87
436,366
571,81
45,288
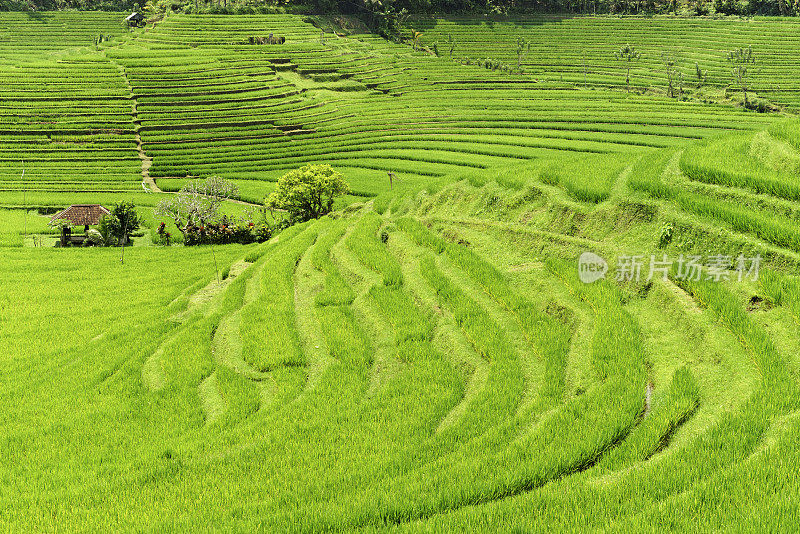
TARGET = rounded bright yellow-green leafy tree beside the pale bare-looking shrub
x,y
308,192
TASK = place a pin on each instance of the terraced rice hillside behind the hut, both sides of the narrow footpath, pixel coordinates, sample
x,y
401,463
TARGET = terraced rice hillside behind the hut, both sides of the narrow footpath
x,y
204,103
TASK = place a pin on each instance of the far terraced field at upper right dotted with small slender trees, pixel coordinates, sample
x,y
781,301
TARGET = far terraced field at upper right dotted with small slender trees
x,y
580,50
